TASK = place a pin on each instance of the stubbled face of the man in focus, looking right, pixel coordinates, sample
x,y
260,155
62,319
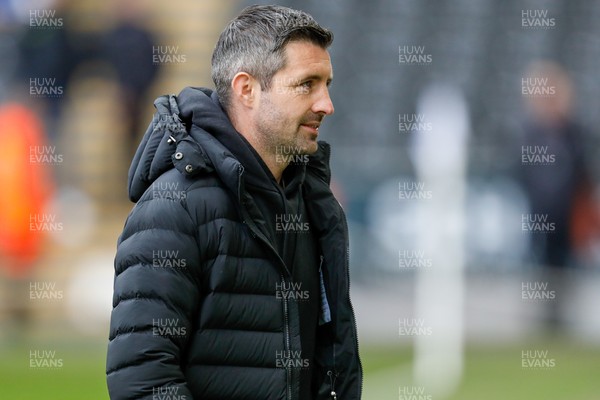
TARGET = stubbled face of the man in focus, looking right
x,y
290,112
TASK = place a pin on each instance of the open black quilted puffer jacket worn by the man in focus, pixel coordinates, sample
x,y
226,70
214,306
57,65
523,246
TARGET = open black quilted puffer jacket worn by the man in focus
x,y
196,314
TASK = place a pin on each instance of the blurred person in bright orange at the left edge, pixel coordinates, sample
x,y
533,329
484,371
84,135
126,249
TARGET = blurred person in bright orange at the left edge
x,y
26,185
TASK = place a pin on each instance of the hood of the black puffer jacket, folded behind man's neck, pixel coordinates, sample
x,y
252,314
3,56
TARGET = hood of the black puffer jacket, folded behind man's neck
x,y
192,132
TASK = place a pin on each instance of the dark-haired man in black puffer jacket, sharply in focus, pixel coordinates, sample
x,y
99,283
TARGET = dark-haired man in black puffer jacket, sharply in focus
x,y
231,274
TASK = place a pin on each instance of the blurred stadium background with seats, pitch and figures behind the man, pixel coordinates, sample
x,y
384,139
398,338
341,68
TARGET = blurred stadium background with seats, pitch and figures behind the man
x,y
459,294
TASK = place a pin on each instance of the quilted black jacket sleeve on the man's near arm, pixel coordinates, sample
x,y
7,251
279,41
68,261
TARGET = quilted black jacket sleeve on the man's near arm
x,y
156,295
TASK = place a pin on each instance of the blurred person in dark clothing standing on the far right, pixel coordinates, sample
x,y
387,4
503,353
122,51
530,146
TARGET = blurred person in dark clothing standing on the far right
x,y
553,173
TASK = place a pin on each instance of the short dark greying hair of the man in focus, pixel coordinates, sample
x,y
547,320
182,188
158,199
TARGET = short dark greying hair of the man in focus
x,y
254,42
